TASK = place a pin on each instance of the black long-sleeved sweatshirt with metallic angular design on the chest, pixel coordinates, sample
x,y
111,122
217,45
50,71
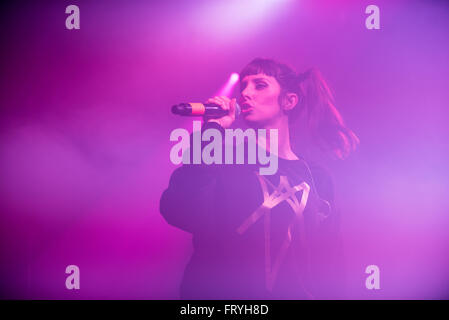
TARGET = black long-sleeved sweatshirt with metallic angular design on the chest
x,y
213,201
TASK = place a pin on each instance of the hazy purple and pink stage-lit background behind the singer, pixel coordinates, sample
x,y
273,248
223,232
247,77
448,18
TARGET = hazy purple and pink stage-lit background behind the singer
x,y
85,125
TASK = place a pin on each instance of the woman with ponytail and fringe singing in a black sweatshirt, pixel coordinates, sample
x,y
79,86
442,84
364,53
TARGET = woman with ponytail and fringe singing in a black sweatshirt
x,y
266,237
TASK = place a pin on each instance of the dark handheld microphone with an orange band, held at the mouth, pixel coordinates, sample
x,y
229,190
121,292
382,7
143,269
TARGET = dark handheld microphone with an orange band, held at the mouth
x,y
194,109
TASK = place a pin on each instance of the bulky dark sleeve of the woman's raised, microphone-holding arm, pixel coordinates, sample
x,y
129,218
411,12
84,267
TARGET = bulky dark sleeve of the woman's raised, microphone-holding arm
x,y
189,200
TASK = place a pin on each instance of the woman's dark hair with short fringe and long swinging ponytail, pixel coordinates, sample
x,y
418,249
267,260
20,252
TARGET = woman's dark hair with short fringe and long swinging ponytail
x,y
316,126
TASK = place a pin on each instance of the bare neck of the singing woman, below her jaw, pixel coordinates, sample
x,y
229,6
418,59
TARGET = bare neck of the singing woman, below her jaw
x,y
284,148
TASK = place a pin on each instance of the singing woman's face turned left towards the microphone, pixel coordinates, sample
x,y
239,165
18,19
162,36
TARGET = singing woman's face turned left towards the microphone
x,y
259,99
